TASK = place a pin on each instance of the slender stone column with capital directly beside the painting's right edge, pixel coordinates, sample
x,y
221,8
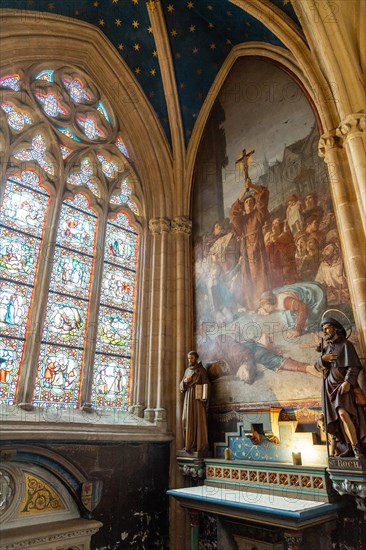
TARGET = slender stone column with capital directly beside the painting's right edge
x,y
350,226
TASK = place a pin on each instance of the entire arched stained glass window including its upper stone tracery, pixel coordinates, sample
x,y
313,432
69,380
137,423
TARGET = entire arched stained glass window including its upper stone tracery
x,y
56,283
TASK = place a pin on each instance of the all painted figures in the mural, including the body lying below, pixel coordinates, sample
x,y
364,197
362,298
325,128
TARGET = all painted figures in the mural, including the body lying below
x,y
255,263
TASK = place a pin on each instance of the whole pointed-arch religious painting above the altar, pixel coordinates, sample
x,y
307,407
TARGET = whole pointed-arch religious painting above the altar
x,y
267,253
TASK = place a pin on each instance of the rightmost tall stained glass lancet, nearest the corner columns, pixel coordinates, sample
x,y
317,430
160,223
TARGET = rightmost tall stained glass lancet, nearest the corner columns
x,y
116,317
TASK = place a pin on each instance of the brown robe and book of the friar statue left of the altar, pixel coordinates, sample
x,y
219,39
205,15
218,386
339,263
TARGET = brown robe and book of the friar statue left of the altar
x,y
194,418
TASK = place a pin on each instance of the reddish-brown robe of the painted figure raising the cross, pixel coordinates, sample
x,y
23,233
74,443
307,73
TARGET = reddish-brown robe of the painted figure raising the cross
x,y
253,259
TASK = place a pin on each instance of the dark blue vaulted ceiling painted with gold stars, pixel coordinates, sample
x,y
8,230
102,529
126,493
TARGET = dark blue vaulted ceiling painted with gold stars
x,y
201,34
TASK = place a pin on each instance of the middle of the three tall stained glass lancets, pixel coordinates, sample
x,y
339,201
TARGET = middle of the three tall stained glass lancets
x,y
63,338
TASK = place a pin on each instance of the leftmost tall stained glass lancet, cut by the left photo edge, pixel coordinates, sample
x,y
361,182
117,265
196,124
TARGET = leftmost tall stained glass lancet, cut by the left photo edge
x,y
22,219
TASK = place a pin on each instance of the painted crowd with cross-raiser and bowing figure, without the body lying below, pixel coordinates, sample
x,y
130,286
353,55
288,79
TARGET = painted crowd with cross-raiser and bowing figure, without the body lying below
x,y
255,262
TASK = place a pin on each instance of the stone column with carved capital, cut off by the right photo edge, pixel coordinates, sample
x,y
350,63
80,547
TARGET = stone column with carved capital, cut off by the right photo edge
x,y
352,130
